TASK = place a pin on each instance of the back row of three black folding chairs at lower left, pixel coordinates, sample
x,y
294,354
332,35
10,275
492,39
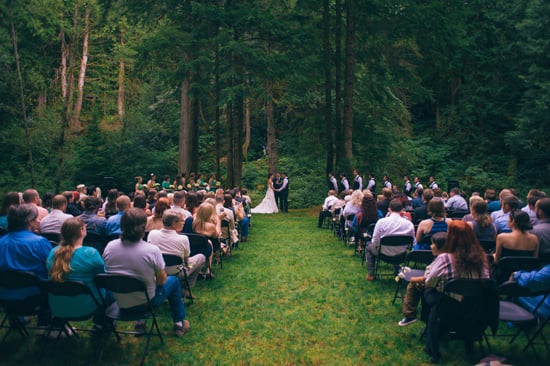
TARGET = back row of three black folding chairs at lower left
x,y
72,292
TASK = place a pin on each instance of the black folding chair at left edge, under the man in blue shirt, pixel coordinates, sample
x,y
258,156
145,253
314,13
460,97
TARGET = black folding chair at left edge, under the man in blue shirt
x,y
29,305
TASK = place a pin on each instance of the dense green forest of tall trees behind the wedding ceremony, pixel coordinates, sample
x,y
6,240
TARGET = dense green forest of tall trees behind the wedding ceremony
x,y
115,88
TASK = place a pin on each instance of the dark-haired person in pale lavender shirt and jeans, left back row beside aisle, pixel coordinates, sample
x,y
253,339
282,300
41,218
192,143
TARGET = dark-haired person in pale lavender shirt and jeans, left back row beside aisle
x,y
131,256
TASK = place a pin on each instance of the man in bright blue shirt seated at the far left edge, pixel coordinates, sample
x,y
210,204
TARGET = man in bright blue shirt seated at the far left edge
x,y
23,250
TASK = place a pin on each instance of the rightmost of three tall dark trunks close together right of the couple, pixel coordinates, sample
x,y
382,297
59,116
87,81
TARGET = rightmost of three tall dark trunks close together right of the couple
x,y
349,84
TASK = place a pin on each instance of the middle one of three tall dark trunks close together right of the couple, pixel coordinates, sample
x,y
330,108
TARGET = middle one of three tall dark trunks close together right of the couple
x,y
338,130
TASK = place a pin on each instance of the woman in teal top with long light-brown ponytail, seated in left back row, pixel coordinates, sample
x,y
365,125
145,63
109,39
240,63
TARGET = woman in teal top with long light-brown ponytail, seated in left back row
x,y
71,261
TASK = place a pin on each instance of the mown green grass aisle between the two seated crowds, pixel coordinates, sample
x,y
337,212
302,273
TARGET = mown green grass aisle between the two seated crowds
x,y
292,295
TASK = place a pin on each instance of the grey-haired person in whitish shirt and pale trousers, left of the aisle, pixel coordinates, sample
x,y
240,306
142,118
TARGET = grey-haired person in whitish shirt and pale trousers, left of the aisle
x,y
170,242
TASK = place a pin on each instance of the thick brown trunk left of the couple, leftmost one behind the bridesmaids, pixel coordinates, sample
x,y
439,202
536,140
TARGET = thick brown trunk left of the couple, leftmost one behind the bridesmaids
x,y
185,135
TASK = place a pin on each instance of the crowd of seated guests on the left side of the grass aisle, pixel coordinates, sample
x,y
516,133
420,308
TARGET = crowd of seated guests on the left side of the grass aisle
x,y
50,237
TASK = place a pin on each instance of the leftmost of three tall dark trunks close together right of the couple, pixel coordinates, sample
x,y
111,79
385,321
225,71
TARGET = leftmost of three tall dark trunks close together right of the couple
x,y
328,87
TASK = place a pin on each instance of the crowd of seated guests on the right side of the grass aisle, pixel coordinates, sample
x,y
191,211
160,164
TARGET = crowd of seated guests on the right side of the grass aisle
x,y
468,236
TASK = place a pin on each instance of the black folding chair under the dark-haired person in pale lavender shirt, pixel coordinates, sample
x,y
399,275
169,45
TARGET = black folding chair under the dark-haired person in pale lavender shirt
x,y
119,284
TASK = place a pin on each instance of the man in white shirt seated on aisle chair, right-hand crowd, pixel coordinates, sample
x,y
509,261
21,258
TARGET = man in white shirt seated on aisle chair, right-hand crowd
x,y
392,225
